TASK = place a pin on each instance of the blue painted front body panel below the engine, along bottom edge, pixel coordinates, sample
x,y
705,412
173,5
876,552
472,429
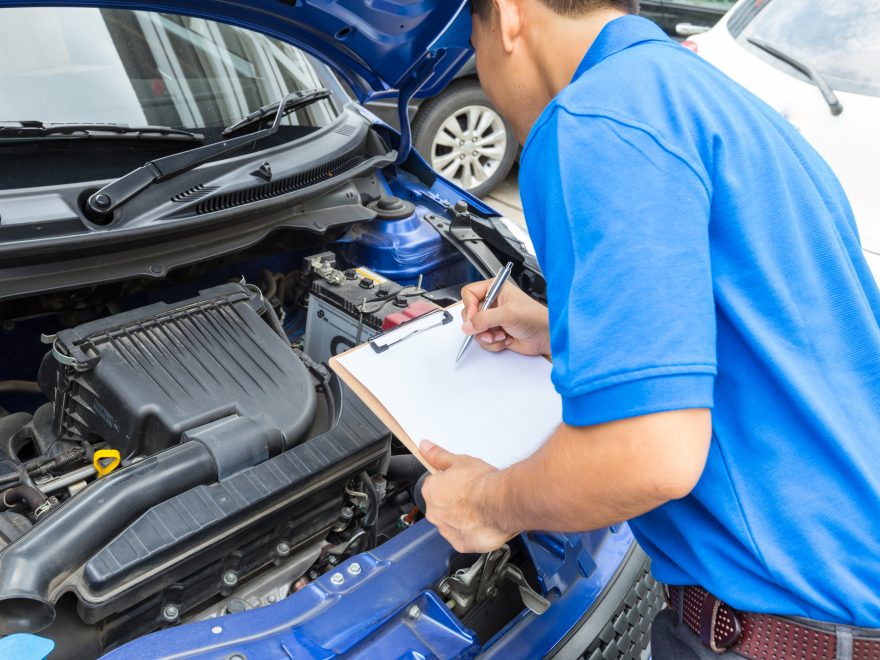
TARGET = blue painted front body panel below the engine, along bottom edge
x,y
382,605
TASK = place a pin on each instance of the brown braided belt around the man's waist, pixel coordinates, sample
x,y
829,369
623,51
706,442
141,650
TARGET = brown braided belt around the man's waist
x,y
760,636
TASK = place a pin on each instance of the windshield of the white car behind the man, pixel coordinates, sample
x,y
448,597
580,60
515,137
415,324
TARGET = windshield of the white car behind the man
x,y
841,38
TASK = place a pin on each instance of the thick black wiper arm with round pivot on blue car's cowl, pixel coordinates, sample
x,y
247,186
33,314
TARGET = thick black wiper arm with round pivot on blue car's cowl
x,y
111,196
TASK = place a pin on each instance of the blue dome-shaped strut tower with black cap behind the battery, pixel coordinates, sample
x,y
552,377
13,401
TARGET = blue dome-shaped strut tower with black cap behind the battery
x,y
400,245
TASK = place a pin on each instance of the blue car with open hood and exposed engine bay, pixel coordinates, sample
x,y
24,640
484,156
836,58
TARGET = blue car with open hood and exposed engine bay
x,y
194,217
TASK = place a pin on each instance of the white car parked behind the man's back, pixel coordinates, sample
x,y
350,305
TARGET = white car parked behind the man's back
x,y
817,63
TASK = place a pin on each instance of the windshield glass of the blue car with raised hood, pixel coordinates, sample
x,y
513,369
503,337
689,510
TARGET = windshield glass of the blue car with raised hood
x,y
142,68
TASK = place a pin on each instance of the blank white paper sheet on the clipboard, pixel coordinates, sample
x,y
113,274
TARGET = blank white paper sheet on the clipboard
x,y
499,407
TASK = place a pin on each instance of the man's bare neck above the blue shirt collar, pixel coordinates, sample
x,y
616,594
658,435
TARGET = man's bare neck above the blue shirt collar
x,y
560,44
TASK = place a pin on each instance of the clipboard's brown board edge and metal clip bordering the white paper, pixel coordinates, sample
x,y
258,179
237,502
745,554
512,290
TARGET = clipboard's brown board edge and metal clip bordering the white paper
x,y
380,343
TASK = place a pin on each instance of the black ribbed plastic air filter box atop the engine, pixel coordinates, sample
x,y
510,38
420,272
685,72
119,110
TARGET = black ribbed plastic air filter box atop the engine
x,y
140,379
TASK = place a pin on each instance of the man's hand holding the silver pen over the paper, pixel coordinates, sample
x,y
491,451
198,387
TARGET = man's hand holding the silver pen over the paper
x,y
516,321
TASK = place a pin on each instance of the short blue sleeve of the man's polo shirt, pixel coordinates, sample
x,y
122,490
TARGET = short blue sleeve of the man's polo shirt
x,y
621,223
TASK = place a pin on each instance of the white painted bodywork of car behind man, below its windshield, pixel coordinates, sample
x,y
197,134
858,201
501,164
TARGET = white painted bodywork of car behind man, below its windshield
x,y
848,142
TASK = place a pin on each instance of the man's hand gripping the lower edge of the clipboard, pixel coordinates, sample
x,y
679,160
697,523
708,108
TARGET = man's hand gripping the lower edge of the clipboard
x,y
455,499
